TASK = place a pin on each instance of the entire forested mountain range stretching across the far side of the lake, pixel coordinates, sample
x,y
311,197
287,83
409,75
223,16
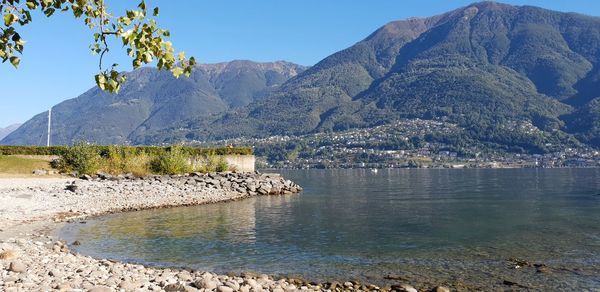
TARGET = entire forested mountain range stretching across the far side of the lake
x,y
482,67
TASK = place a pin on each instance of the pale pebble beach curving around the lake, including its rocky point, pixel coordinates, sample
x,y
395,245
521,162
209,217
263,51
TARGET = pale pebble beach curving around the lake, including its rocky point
x,y
34,210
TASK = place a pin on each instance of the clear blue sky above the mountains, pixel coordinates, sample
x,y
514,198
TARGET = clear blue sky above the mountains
x,y
57,64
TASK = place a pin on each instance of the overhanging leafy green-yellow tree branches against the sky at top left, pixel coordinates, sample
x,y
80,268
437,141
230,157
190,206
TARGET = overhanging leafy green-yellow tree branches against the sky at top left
x,y
144,41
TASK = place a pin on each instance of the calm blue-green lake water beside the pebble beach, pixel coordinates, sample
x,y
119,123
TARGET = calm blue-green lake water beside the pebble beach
x,y
456,227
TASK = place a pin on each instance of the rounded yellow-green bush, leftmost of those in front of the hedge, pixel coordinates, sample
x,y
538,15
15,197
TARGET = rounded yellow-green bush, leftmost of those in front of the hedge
x,y
81,158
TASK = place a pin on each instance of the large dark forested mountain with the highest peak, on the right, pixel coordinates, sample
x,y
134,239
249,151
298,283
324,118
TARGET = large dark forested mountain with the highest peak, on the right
x,y
482,67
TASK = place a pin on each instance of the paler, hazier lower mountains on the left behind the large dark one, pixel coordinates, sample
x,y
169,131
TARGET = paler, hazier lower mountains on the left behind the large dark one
x,y
152,99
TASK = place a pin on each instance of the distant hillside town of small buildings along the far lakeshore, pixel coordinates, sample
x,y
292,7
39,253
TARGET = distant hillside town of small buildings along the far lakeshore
x,y
410,143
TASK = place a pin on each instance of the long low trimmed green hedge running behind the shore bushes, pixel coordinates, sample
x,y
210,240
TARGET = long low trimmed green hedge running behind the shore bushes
x,y
152,150
